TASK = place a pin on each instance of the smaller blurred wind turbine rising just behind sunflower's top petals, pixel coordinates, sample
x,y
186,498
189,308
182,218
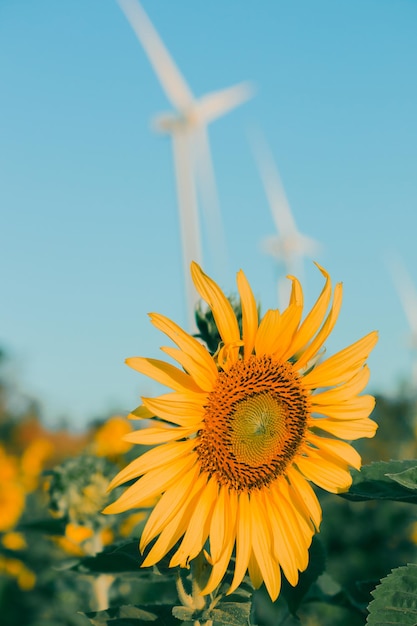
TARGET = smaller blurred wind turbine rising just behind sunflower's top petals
x,y
289,246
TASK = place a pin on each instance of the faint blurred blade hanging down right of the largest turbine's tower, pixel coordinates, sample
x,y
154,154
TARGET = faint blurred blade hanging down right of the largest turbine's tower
x,y
206,186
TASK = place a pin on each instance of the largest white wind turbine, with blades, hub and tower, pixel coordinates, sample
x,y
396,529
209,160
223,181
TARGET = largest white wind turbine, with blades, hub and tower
x,y
187,126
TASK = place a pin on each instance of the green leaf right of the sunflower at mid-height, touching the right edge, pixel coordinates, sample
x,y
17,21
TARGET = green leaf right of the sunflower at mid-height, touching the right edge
x,y
375,482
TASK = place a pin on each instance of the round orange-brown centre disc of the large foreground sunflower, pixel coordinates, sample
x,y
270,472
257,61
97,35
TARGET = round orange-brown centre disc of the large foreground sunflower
x,y
254,423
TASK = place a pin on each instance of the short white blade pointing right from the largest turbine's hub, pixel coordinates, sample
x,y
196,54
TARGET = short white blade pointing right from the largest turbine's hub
x,y
218,103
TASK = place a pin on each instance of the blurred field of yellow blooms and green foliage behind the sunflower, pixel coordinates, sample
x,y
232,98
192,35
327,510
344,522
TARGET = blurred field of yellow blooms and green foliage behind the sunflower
x,y
53,487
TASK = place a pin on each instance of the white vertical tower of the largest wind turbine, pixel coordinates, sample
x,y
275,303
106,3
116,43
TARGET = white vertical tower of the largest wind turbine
x,y
188,214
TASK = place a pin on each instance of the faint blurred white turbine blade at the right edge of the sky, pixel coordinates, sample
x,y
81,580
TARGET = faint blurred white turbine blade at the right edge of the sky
x,y
408,296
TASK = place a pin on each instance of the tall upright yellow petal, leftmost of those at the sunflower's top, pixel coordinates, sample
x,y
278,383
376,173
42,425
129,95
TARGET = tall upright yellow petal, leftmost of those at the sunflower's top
x,y
222,310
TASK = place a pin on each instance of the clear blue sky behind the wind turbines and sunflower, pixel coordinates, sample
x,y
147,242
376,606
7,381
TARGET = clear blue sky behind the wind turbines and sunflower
x,y
89,229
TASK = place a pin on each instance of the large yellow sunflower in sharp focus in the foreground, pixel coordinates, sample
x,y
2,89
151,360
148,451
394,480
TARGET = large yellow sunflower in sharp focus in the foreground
x,y
244,432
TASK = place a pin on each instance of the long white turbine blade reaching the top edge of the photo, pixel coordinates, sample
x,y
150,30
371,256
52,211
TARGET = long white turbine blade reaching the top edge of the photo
x,y
167,72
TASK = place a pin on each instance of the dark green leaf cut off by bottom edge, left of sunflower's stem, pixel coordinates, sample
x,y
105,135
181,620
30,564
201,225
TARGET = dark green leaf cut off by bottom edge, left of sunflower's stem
x,y
157,615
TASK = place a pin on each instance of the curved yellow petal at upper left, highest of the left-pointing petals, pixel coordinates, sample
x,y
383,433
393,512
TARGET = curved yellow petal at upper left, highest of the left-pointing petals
x,y
188,344
